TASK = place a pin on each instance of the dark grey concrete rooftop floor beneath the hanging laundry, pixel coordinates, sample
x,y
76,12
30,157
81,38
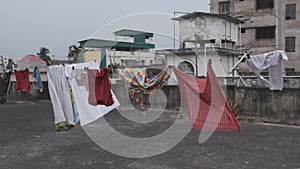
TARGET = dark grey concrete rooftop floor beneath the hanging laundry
x,y
28,141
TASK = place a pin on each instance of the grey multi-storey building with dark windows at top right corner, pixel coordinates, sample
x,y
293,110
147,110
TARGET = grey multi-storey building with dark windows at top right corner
x,y
267,25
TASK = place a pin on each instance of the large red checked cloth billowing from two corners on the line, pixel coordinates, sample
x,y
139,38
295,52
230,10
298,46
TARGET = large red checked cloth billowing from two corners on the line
x,y
208,107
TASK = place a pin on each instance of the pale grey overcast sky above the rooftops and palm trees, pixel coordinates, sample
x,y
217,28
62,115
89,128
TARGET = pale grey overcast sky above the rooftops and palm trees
x,y
26,25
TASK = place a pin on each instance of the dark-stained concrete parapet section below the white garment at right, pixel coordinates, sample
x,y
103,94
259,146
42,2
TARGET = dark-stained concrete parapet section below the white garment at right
x,y
263,103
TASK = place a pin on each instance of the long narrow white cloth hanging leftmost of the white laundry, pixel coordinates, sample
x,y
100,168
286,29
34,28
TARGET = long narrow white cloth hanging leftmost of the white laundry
x,y
60,95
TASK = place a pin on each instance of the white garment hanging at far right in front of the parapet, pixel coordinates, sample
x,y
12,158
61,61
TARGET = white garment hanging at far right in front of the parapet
x,y
273,62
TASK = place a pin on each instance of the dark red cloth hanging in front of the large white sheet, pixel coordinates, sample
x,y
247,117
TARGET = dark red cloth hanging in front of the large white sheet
x,y
99,88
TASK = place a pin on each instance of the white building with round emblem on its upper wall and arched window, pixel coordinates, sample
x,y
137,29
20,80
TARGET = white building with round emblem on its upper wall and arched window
x,y
203,37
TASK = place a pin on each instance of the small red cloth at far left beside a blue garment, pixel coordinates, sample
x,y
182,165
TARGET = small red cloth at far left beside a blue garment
x,y
22,80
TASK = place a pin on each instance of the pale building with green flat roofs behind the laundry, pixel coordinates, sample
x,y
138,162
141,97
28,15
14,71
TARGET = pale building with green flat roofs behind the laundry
x,y
130,48
